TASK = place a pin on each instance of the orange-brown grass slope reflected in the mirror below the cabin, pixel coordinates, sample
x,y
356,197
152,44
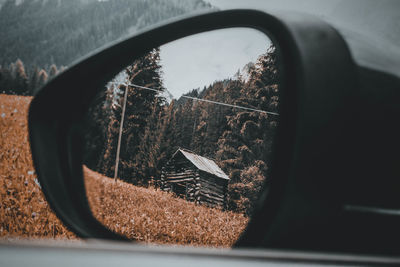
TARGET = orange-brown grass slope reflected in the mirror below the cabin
x,y
154,216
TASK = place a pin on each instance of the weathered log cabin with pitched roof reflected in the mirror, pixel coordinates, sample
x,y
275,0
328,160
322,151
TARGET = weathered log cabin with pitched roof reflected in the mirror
x,y
195,178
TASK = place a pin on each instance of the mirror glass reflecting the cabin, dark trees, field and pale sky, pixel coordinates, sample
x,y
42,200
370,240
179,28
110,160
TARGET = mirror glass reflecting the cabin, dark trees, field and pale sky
x,y
178,144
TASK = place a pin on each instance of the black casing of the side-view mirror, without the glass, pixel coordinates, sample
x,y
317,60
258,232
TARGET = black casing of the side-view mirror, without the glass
x,y
316,113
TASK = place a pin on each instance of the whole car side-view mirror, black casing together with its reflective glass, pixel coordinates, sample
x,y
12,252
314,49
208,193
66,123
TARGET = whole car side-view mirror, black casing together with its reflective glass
x,y
165,114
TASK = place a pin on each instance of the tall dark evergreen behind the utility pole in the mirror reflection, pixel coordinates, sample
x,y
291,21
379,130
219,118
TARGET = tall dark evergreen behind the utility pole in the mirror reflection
x,y
142,106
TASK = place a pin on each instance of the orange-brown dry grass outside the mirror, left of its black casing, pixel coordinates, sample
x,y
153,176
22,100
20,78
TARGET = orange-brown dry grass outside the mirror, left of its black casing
x,y
24,213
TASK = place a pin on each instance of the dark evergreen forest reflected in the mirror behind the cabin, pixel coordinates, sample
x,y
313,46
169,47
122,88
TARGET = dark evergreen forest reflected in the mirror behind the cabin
x,y
239,140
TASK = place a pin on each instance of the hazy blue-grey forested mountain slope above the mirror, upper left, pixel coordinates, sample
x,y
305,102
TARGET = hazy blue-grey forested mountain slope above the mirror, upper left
x,y
45,32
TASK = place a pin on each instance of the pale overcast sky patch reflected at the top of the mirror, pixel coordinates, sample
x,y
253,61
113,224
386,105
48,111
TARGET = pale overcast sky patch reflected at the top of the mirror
x,y
199,60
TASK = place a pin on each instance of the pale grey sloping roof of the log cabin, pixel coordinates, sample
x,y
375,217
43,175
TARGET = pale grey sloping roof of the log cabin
x,y
204,164
